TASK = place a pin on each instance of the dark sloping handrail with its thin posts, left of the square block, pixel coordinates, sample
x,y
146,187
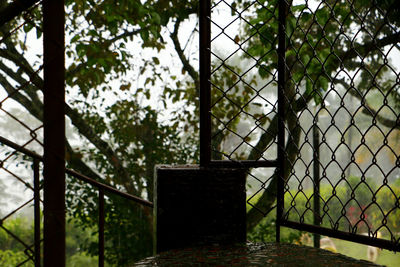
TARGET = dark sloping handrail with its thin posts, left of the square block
x,y
34,254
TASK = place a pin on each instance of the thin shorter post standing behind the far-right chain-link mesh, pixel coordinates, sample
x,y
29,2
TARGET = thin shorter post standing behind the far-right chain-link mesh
x,y
316,174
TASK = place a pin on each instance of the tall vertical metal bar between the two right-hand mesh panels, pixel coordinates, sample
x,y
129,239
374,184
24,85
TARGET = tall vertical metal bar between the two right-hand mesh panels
x,y
281,114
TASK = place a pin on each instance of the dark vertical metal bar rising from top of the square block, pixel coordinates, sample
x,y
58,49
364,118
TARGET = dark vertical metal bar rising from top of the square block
x,y
205,82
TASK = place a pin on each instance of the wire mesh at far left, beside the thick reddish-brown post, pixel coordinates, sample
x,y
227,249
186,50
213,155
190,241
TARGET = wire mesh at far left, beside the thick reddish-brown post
x,y
20,83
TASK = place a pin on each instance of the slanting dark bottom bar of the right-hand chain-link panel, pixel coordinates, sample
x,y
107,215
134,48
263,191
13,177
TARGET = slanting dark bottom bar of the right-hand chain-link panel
x,y
381,243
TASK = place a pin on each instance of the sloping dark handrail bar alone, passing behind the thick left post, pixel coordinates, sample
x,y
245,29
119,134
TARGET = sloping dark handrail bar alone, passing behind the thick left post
x,y
78,175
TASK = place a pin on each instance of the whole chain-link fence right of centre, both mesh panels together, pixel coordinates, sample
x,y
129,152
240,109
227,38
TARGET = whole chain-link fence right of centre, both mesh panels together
x,y
339,79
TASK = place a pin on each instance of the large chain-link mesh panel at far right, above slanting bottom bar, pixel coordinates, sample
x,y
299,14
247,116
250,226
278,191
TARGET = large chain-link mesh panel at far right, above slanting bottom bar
x,y
343,66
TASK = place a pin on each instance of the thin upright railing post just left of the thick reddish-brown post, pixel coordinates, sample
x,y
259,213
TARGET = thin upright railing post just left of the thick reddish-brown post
x,y
36,197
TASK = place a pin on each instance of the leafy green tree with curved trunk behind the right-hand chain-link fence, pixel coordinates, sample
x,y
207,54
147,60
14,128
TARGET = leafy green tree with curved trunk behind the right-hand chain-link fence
x,y
322,52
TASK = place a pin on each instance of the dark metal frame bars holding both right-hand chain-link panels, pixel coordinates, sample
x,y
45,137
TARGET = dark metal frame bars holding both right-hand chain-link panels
x,y
279,163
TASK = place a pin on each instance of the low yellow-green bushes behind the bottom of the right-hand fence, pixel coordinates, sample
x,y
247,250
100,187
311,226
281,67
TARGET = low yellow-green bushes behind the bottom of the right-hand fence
x,y
339,210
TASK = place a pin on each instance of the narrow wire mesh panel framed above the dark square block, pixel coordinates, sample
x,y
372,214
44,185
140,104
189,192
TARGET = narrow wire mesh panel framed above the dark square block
x,y
243,97
